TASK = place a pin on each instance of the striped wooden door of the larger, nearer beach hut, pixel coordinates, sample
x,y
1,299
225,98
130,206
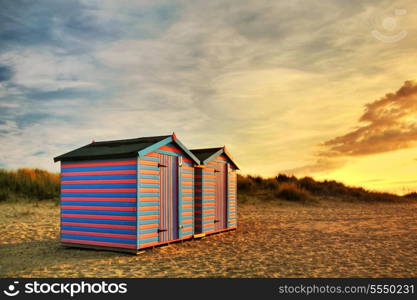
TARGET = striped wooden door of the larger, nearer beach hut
x,y
168,218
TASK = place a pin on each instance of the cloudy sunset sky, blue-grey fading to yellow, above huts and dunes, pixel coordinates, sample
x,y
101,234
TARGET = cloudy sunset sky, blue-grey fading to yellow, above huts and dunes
x,y
312,88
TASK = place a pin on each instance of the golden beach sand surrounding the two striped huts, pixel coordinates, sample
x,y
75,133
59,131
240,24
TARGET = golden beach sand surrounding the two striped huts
x,y
327,240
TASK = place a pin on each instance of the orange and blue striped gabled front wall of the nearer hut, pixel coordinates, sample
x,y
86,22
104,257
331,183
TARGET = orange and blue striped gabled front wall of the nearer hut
x,y
149,197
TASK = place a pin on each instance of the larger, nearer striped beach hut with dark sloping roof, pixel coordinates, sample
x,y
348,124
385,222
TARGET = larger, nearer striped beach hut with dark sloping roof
x,y
127,194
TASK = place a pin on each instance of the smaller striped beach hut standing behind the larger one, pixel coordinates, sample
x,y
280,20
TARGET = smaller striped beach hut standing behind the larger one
x,y
215,191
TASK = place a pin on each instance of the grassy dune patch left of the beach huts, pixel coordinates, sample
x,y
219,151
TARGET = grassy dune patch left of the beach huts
x,y
28,184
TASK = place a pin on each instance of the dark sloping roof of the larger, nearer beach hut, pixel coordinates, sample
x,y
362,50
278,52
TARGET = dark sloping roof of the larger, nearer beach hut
x,y
106,149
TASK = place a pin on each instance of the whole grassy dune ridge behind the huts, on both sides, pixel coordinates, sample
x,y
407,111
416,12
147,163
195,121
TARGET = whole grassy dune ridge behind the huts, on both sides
x,y
36,184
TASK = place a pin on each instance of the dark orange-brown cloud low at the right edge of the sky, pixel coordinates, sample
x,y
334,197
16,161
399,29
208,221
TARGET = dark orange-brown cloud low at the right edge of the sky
x,y
390,124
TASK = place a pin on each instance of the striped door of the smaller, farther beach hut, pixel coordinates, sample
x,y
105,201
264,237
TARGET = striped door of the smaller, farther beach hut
x,y
220,221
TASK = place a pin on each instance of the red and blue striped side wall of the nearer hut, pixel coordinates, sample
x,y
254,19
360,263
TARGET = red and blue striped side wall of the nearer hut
x,y
98,202
